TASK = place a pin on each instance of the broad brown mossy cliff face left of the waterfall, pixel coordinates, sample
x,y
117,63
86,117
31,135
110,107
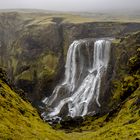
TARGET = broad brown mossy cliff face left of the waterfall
x,y
31,52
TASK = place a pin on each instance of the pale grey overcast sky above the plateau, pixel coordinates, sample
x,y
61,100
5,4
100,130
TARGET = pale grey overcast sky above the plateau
x,y
71,5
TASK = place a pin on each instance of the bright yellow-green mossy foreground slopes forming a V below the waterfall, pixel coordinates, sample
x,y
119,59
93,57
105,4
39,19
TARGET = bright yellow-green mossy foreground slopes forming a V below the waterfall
x,y
19,120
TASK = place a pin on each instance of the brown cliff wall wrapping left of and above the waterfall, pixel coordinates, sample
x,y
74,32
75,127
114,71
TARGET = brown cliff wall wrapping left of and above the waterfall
x,y
34,47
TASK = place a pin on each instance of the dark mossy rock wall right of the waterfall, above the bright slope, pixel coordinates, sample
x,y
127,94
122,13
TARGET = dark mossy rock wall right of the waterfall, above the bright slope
x,y
126,67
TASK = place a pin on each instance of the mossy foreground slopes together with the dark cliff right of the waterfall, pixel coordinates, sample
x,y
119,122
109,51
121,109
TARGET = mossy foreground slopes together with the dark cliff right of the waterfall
x,y
19,120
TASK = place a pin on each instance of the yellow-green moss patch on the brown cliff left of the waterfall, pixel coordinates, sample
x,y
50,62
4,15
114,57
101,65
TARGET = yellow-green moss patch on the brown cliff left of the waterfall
x,y
45,66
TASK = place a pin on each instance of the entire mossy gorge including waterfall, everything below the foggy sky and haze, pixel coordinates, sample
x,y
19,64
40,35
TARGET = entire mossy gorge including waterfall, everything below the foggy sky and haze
x,y
84,72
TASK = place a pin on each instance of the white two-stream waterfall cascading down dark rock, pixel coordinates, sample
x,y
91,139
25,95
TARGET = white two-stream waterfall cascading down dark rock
x,y
82,81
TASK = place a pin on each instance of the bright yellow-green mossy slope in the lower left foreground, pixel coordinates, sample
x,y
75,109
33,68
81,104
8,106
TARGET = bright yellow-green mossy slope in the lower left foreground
x,y
19,120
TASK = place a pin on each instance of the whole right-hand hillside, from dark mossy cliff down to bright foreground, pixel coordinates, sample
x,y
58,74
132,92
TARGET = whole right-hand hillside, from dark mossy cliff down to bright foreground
x,y
123,120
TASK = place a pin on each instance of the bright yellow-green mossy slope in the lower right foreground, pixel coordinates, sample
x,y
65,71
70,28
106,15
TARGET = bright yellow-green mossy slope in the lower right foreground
x,y
125,123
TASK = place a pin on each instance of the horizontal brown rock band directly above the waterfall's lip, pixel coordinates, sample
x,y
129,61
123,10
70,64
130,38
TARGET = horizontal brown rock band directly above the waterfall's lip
x,y
97,30
